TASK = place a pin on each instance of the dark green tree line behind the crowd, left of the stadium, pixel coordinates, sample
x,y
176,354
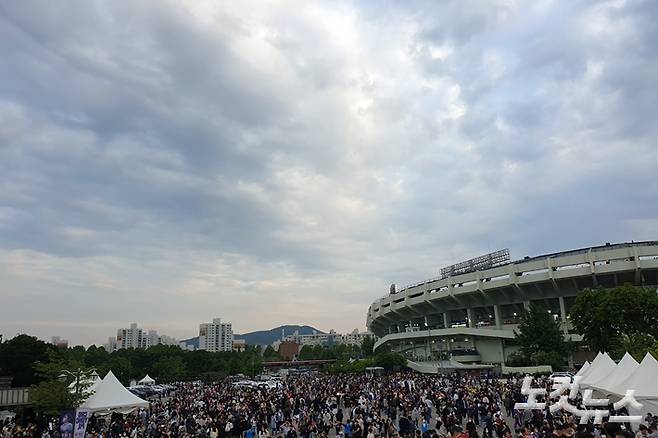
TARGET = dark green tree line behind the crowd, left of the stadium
x,y
39,365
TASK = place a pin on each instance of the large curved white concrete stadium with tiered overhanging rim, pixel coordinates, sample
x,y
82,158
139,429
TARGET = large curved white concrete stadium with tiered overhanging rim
x,y
466,317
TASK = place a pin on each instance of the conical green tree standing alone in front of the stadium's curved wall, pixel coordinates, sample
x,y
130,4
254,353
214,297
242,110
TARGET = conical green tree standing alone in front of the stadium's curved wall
x,y
540,333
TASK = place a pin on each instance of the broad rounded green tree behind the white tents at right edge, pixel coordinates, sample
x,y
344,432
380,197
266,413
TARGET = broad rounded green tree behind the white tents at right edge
x,y
602,315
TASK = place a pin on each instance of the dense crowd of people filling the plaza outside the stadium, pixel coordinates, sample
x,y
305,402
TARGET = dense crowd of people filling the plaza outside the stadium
x,y
317,405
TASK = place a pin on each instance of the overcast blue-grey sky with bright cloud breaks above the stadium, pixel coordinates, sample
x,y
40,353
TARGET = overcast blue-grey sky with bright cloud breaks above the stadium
x,y
267,163
